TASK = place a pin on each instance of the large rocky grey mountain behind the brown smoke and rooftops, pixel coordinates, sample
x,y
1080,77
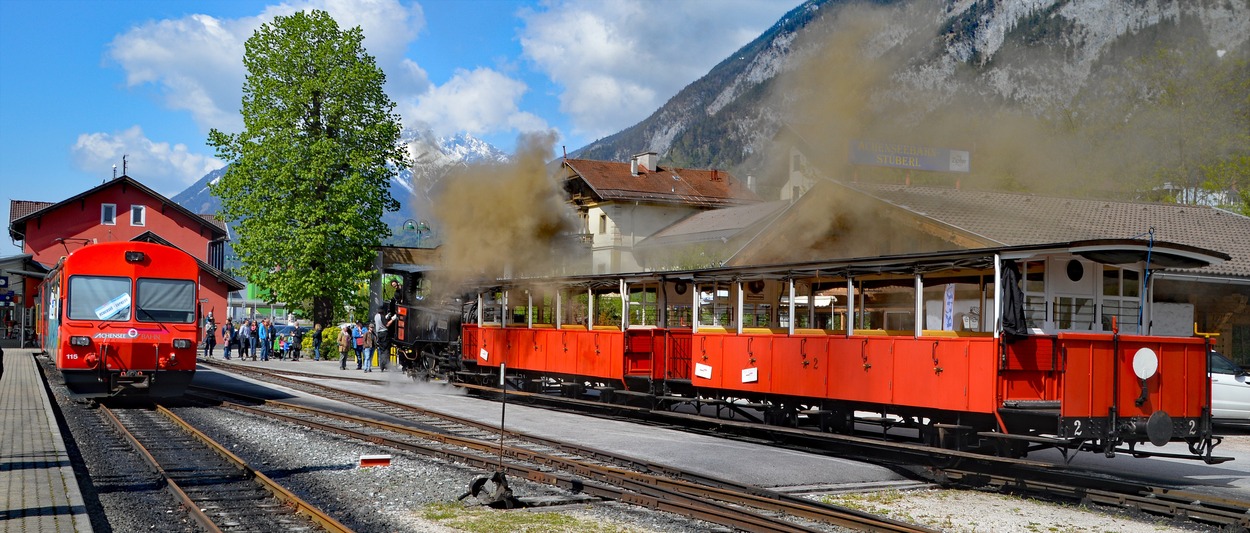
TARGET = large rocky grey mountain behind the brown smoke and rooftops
x,y
1102,84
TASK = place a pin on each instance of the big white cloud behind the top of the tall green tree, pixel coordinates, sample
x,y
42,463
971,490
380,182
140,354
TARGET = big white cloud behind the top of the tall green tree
x,y
197,62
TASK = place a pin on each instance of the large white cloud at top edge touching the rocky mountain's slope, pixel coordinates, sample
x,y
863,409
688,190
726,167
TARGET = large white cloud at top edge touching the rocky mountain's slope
x,y
618,62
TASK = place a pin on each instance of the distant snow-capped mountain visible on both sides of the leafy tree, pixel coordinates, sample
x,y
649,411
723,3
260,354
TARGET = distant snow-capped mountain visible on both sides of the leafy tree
x,y
433,158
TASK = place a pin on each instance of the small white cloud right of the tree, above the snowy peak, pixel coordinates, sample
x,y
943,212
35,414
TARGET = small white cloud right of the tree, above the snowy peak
x,y
478,102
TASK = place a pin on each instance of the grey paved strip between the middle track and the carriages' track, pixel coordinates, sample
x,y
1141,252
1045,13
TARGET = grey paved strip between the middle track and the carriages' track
x,y
752,464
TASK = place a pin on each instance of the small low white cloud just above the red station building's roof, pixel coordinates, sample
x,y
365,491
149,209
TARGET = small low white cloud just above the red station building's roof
x,y
163,167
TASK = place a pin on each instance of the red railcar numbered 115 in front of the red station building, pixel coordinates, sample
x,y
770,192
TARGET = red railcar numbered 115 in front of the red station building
x,y
121,320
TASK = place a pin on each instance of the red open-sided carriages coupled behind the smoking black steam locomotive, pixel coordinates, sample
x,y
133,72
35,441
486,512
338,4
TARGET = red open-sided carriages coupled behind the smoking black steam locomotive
x,y
919,341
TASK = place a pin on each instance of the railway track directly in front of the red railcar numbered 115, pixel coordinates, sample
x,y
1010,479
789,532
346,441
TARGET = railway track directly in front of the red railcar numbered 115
x,y
217,489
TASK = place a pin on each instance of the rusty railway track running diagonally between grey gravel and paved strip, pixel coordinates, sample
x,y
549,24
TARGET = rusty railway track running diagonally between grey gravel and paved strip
x,y
586,470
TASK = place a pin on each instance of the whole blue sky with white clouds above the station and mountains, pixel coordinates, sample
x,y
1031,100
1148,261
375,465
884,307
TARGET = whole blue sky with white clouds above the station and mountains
x,y
84,82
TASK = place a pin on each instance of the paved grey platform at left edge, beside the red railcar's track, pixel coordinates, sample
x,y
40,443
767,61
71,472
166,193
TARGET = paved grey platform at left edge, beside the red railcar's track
x,y
38,489
